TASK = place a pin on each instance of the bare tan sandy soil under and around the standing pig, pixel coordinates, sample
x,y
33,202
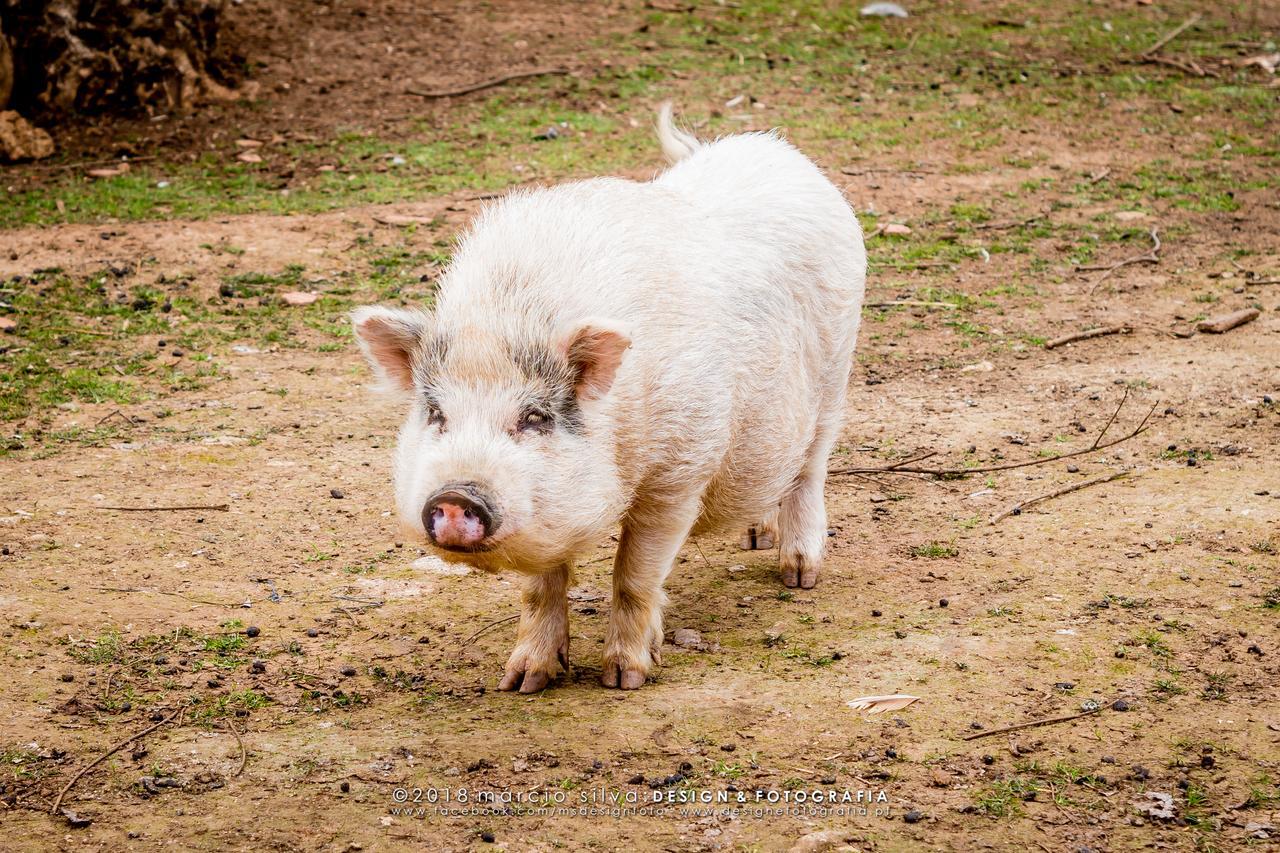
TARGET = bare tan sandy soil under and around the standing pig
x,y
327,667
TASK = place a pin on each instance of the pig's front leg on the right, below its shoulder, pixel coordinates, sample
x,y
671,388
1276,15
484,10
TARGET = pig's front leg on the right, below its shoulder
x,y
647,549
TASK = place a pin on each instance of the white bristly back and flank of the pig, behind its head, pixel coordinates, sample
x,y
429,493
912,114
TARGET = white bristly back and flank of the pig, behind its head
x,y
739,275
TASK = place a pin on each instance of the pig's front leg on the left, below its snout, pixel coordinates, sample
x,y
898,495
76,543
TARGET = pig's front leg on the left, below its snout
x,y
542,644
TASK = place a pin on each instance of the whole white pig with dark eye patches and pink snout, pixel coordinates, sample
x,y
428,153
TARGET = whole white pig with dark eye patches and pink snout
x,y
666,358
